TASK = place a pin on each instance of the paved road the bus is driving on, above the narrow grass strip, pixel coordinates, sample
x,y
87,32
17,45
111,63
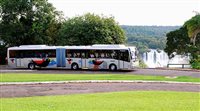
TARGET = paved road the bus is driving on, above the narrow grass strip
x,y
161,72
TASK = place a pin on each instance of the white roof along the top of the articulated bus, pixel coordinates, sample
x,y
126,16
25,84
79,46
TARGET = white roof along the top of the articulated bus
x,y
96,46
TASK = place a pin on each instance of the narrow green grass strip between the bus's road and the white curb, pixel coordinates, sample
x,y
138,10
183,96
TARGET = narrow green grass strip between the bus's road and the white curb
x,y
13,77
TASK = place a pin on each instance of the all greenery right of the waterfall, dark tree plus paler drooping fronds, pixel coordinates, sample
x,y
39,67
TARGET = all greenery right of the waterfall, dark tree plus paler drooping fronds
x,y
186,41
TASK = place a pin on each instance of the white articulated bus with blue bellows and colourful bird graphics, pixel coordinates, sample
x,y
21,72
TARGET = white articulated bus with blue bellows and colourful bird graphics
x,y
98,56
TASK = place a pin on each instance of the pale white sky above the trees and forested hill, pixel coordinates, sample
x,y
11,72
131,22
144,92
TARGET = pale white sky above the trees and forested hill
x,y
133,12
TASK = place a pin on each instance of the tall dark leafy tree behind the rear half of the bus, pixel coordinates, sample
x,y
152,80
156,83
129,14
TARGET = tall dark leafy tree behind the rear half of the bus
x,y
28,22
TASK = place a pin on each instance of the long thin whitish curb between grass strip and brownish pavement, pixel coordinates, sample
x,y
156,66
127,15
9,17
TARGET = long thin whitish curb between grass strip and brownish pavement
x,y
95,81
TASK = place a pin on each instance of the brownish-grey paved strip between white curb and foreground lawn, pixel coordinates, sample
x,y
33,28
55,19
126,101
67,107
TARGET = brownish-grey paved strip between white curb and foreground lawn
x,y
7,91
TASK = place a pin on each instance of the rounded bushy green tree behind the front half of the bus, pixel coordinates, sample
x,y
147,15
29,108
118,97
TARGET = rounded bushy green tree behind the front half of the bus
x,y
91,29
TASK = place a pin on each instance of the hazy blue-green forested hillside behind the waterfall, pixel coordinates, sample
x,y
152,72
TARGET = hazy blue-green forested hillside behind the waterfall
x,y
145,37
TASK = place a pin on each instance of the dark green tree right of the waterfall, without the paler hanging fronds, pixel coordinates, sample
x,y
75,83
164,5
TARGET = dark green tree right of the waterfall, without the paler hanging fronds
x,y
179,42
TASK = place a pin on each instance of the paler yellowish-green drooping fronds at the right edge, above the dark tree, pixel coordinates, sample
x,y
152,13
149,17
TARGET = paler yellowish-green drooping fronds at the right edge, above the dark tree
x,y
193,26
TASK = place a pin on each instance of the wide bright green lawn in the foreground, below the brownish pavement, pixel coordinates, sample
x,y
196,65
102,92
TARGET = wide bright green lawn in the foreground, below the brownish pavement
x,y
115,101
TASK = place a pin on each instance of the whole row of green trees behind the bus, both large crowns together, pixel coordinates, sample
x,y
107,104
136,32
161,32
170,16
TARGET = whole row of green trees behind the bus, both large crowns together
x,y
27,22
